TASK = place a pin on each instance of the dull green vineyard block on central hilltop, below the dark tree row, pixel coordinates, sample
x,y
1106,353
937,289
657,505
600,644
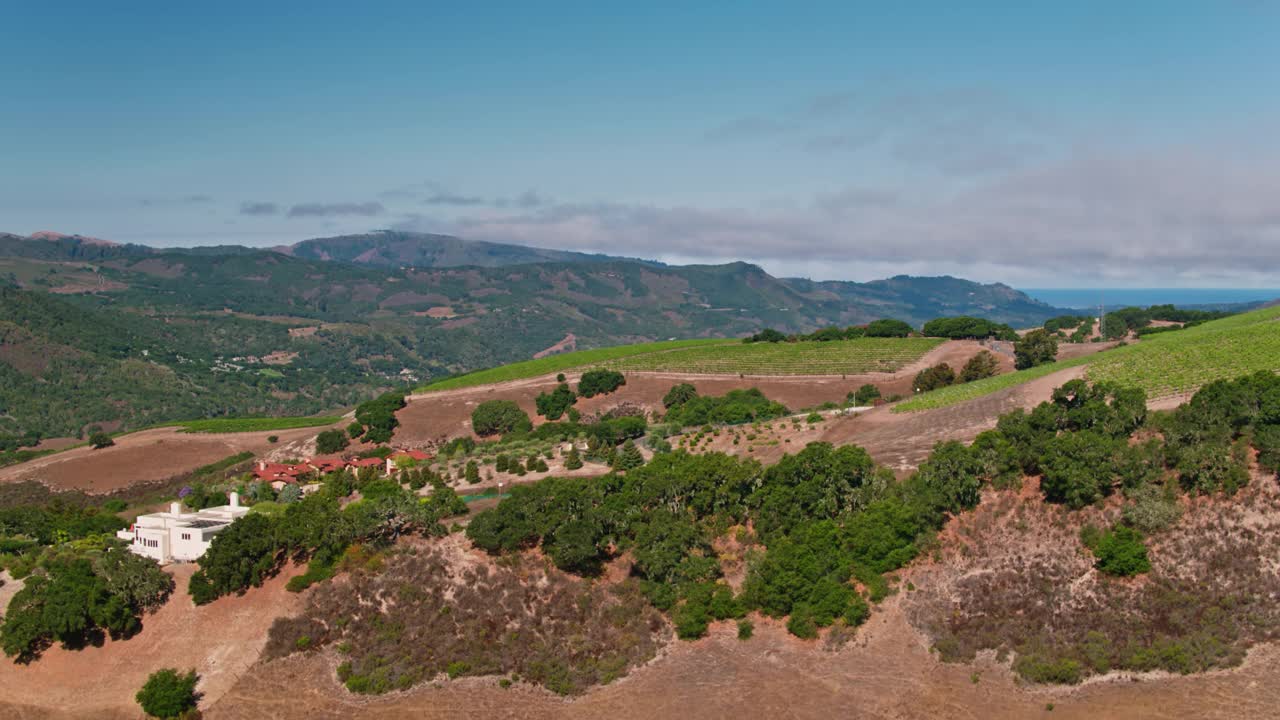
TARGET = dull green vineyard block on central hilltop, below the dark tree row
x,y
849,357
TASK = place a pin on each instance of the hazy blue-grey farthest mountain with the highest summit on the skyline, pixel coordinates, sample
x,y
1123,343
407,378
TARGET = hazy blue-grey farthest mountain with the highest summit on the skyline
x,y
392,249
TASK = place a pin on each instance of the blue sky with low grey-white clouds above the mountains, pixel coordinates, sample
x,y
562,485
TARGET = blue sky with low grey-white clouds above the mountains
x,y
1098,144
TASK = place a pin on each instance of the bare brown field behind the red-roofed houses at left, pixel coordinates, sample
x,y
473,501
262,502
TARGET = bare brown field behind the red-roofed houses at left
x,y
141,458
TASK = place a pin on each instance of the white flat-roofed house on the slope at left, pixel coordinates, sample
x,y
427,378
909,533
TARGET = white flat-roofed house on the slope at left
x,y
177,536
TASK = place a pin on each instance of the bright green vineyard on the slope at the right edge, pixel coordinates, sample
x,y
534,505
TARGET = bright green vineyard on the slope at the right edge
x,y
1162,364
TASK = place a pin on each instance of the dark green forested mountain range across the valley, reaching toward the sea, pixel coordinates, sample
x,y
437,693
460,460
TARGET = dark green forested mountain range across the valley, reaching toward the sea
x,y
126,335
